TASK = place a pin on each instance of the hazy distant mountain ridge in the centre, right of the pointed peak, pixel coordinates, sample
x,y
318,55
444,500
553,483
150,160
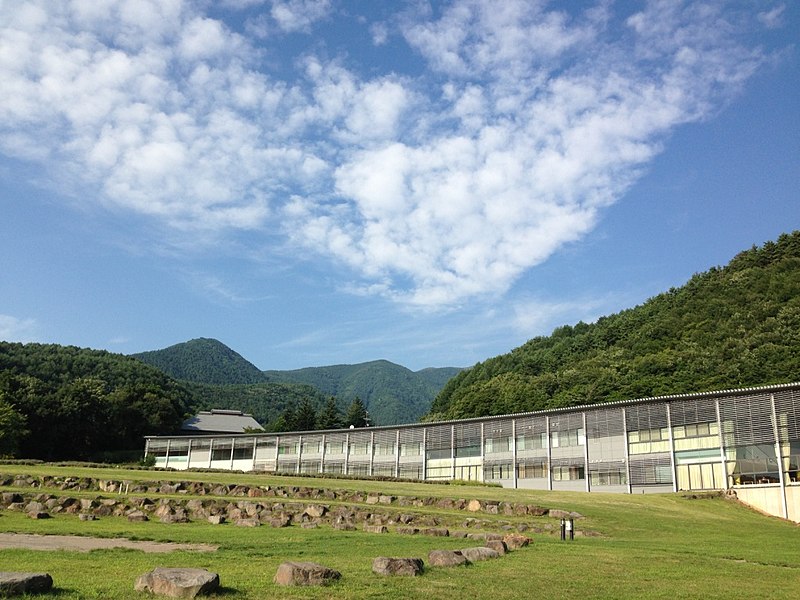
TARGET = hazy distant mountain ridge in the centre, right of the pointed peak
x,y
392,394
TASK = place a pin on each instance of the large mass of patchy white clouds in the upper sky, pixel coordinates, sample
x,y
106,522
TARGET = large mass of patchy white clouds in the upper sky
x,y
432,187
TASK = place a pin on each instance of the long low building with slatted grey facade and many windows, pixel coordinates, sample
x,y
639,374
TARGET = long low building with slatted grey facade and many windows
x,y
743,439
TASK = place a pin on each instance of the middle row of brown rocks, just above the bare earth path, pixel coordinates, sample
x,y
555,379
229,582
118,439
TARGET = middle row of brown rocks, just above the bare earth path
x,y
247,513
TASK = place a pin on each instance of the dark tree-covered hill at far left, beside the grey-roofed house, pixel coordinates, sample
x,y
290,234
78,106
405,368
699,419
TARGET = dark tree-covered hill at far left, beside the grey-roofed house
x,y
63,402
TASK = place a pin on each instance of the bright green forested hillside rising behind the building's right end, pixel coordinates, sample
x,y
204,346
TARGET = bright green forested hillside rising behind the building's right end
x,y
729,327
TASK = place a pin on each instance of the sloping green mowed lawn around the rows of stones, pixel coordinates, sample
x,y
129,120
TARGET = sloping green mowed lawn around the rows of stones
x,y
649,546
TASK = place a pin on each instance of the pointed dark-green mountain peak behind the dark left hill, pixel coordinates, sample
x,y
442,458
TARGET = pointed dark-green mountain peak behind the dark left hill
x,y
203,361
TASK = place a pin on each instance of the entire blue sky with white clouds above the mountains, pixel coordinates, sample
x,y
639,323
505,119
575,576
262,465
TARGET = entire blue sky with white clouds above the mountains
x,y
318,182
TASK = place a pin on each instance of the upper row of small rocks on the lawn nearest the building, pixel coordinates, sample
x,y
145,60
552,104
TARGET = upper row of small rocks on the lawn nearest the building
x,y
196,488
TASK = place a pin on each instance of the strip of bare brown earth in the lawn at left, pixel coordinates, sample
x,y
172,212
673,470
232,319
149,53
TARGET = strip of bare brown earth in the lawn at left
x,y
85,544
